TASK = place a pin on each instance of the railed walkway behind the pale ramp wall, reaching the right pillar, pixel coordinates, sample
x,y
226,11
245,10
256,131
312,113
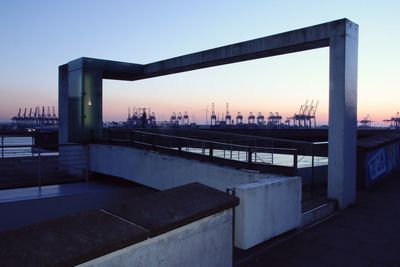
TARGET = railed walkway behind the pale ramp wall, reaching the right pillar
x,y
306,159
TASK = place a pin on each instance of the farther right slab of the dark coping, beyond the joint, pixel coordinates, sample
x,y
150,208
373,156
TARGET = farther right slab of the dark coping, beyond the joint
x,y
163,211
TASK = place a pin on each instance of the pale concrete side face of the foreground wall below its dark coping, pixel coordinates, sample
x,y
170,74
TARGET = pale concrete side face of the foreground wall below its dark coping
x,y
207,242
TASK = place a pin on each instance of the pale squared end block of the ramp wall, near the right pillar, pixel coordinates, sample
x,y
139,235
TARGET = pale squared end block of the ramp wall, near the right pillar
x,y
268,207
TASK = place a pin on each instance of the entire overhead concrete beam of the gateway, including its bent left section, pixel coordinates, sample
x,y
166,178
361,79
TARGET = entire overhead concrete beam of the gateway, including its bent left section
x,y
283,43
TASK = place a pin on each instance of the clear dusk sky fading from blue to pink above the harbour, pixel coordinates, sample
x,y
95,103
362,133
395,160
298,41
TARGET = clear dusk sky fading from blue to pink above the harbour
x,y
37,36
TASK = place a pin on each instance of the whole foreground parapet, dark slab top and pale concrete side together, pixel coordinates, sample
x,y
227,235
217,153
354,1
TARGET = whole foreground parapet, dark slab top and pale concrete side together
x,y
196,219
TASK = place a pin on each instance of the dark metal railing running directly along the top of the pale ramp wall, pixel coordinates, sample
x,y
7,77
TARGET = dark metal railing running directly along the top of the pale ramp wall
x,y
282,160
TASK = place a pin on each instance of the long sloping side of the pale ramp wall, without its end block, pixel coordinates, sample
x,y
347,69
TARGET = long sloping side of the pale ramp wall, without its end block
x,y
163,171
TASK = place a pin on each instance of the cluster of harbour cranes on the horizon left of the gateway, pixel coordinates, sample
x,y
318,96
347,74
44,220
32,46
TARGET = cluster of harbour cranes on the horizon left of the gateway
x,y
37,118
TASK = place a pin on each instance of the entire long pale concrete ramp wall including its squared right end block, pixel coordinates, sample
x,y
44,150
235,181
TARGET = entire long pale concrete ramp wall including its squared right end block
x,y
269,204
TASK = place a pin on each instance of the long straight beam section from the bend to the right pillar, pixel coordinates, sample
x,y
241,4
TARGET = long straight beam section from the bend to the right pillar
x,y
288,42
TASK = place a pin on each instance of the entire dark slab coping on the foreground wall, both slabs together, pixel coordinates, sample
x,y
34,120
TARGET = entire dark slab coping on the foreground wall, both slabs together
x,y
83,236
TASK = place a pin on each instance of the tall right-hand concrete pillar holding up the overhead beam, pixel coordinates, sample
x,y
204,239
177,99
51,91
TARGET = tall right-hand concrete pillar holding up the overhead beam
x,y
343,114
